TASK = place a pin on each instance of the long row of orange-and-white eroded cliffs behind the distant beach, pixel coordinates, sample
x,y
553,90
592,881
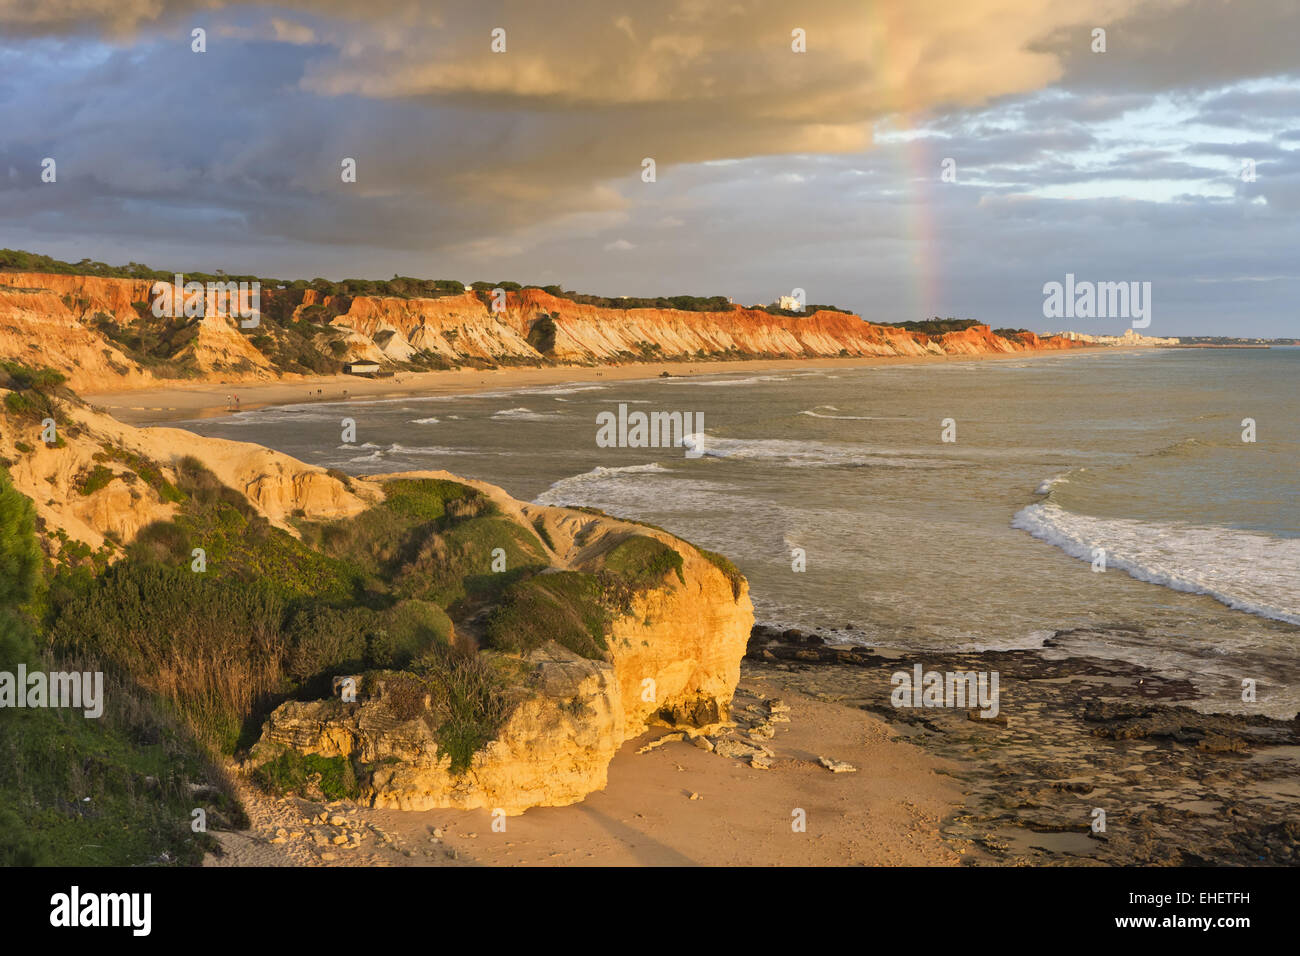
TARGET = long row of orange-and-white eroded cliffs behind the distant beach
x,y
54,314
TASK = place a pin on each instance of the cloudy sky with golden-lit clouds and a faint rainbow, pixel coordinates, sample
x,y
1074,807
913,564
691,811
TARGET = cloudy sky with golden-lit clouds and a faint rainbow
x,y
916,159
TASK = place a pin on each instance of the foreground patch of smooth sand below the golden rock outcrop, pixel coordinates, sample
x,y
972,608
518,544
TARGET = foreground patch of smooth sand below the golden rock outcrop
x,y
886,814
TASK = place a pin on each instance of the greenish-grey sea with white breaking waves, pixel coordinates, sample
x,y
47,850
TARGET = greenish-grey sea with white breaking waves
x,y
1133,505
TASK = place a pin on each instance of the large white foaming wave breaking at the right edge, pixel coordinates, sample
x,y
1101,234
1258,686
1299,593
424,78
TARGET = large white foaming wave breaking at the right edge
x,y
1247,572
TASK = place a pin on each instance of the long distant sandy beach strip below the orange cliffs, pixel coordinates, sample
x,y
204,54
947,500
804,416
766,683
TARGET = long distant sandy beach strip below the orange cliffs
x,y
180,401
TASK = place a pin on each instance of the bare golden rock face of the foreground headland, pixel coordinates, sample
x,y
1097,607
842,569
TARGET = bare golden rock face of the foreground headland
x,y
674,660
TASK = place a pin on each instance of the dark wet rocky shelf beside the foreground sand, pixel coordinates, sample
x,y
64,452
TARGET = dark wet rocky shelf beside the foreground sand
x,y
1089,762
